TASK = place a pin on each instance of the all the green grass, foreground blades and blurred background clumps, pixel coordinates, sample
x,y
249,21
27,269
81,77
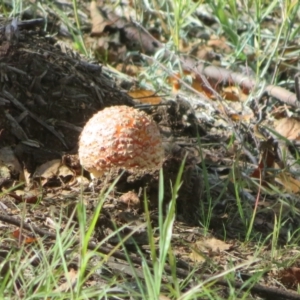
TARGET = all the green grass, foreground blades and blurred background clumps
x,y
272,248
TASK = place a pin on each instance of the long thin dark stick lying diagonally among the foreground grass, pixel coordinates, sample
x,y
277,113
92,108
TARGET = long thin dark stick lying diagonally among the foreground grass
x,y
267,292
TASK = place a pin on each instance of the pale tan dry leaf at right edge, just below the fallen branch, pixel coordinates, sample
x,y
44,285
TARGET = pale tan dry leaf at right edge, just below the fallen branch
x,y
289,128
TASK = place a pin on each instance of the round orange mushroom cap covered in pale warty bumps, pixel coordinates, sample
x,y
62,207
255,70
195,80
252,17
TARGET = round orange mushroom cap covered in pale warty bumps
x,y
120,137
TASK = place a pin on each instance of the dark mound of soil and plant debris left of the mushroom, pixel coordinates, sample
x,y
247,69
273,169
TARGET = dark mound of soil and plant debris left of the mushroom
x,y
51,86
